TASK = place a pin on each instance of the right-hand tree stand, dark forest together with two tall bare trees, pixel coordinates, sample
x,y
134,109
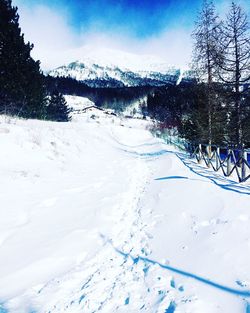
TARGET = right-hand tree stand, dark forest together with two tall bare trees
x,y
216,109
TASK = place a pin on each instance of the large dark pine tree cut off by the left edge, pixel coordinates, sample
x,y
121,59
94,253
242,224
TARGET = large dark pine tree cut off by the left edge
x,y
21,82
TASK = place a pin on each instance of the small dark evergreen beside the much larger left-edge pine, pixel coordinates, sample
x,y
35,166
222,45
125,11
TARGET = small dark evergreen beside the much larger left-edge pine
x,y
57,109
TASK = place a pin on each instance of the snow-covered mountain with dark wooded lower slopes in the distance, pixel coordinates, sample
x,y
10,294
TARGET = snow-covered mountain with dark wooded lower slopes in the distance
x,y
114,68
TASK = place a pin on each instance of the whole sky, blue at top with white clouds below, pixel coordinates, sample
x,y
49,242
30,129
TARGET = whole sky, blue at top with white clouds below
x,y
59,28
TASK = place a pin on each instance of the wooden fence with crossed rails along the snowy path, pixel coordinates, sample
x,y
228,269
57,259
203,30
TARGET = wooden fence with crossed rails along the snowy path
x,y
230,161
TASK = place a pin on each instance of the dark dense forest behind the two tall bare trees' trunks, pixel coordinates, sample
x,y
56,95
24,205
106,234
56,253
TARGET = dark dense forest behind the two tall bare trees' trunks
x,y
183,109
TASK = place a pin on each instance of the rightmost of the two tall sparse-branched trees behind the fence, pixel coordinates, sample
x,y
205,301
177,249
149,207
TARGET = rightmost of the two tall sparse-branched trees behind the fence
x,y
235,68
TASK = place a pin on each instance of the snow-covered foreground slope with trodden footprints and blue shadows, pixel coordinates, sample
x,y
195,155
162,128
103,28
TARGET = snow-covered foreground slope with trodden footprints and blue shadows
x,y
98,216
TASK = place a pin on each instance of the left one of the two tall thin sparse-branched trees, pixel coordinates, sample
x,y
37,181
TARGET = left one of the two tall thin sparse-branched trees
x,y
206,54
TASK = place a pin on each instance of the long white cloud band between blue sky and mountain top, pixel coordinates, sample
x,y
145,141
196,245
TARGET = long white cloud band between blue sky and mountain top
x,y
57,43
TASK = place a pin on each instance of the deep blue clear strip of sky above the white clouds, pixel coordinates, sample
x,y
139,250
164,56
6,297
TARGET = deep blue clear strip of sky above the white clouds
x,y
138,18
